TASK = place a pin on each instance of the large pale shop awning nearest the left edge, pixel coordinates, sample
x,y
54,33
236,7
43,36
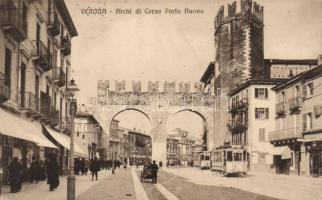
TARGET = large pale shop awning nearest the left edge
x,y
17,127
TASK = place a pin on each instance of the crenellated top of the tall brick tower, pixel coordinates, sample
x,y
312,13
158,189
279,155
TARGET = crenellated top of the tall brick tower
x,y
230,12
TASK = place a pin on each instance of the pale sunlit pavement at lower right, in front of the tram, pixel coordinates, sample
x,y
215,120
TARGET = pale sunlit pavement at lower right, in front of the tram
x,y
278,186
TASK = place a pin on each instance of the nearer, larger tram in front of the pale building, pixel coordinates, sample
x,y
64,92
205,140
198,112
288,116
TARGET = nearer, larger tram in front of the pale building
x,y
229,160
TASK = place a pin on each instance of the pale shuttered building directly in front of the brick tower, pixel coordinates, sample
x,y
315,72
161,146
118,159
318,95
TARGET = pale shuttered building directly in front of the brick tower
x,y
251,109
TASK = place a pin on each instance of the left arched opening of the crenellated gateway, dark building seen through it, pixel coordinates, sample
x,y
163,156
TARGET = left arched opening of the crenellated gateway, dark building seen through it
x,y
129,137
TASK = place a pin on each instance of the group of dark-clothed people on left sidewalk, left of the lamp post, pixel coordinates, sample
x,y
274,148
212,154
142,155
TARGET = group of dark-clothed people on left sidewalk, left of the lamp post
x,y
38,171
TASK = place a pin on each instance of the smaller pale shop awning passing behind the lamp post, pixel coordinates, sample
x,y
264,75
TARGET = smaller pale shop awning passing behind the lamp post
x,y
64,140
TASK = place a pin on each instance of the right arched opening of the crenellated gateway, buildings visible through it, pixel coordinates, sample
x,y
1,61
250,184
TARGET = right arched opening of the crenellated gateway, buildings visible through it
x,y
186,135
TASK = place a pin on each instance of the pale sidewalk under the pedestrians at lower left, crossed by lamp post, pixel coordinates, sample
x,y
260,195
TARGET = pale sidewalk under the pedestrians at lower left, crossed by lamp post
x,y
41,189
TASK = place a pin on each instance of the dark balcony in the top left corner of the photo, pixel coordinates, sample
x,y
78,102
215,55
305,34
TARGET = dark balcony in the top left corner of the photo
x,y
12,21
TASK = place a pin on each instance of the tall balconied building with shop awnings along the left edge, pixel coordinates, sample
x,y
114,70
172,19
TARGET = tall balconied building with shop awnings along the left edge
x,y
35,47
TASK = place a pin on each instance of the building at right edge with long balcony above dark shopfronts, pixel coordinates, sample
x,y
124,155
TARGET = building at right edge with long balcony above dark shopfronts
x,y
298,124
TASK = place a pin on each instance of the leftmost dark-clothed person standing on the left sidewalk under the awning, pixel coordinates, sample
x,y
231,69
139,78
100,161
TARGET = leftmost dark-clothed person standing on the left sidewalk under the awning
x,y
15,175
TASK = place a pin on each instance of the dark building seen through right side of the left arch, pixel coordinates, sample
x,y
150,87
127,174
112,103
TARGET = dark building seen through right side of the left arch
x,y
140,147
